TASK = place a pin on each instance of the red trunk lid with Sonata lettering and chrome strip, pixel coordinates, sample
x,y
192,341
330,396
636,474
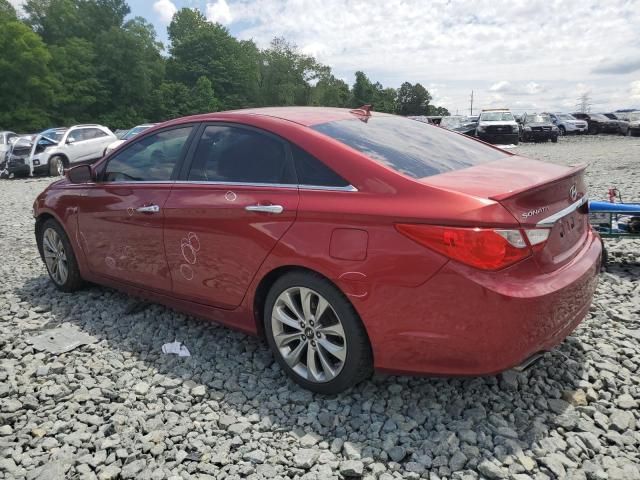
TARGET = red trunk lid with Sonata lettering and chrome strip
x,y
537,194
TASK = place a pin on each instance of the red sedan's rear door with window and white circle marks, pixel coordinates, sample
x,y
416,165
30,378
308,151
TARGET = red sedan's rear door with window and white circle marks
x,y
236,199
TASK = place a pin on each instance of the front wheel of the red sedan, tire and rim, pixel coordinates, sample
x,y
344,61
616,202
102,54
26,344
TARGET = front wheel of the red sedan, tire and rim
x,y
58,257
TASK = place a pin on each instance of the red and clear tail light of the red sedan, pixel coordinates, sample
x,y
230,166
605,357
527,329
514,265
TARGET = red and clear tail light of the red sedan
x,y
483,248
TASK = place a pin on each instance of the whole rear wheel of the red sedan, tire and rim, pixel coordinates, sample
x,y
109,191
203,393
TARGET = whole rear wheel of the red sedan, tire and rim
x,y
315,334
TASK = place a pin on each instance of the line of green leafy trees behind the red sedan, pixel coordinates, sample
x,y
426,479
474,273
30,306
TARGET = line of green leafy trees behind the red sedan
x,y
64,62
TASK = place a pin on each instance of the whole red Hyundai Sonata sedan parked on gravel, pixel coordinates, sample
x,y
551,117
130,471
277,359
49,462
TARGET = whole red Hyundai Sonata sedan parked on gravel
x,y
351,240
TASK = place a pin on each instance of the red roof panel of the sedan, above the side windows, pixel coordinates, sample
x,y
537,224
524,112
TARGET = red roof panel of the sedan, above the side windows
x,y
306,116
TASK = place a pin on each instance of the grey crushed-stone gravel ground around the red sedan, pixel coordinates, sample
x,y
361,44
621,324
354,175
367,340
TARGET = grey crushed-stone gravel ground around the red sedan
x,y
119,408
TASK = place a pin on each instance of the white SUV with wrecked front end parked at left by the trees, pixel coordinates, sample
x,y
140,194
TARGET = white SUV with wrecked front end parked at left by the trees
x,y
58,148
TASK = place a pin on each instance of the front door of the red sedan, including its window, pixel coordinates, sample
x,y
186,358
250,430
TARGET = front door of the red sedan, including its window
x,y
121,219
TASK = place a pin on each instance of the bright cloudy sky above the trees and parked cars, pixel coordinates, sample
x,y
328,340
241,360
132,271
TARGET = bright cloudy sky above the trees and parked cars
x,y
530,55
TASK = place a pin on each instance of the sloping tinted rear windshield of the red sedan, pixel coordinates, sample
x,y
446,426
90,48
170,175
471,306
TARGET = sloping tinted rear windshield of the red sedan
x,y
413,148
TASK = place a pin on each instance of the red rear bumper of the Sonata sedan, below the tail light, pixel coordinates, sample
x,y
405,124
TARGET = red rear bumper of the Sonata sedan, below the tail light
x,y
466,322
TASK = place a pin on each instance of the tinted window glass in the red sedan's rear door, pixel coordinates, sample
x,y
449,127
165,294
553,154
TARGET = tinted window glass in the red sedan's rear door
x,y
240,155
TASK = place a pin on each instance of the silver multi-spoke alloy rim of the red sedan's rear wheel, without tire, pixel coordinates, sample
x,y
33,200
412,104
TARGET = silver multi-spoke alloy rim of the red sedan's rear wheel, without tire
x,y
309,334
